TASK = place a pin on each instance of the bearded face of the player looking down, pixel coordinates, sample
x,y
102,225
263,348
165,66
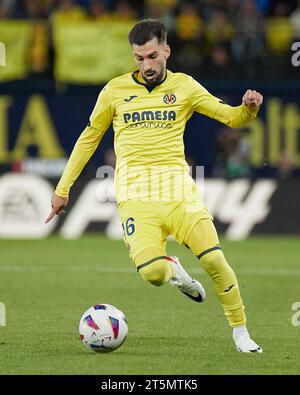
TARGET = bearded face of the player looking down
x,y
151,59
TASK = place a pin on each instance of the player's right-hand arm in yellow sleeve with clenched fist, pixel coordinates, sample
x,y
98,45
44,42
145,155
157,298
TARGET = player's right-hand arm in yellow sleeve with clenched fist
x,y
205,103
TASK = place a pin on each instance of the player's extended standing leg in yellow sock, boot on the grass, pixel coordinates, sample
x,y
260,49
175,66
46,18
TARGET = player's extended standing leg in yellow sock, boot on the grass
x,y
203,241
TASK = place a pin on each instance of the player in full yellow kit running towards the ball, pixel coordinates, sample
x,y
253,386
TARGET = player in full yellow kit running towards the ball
x,y
156,195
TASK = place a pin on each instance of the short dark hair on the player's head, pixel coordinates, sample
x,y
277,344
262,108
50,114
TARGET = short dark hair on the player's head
x,y
146,30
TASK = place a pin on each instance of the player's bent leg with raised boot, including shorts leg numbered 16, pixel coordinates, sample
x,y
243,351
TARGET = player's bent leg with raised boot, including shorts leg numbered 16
x,y
146,240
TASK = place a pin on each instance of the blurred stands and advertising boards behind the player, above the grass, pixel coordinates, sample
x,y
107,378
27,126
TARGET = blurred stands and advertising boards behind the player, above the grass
x,y
59,54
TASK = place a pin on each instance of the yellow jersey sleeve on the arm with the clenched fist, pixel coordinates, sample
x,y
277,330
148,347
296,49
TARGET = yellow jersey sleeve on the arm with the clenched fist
x,y
205,103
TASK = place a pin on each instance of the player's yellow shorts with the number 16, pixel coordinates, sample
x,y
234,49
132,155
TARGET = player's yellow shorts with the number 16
x,y
148,224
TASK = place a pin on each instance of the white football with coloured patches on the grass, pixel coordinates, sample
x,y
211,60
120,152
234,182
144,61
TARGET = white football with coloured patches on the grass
x,y
103,328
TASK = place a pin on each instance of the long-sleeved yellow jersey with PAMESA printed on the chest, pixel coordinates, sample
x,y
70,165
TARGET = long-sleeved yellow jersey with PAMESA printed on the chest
x,y
148,123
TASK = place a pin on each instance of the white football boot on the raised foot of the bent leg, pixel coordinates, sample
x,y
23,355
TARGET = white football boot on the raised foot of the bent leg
x,y
187,285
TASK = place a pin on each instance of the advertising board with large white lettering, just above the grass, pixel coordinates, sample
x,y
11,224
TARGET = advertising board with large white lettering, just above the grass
x,y
240,207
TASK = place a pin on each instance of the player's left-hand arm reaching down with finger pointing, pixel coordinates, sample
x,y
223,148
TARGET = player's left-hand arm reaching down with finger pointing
x,y
84,148
